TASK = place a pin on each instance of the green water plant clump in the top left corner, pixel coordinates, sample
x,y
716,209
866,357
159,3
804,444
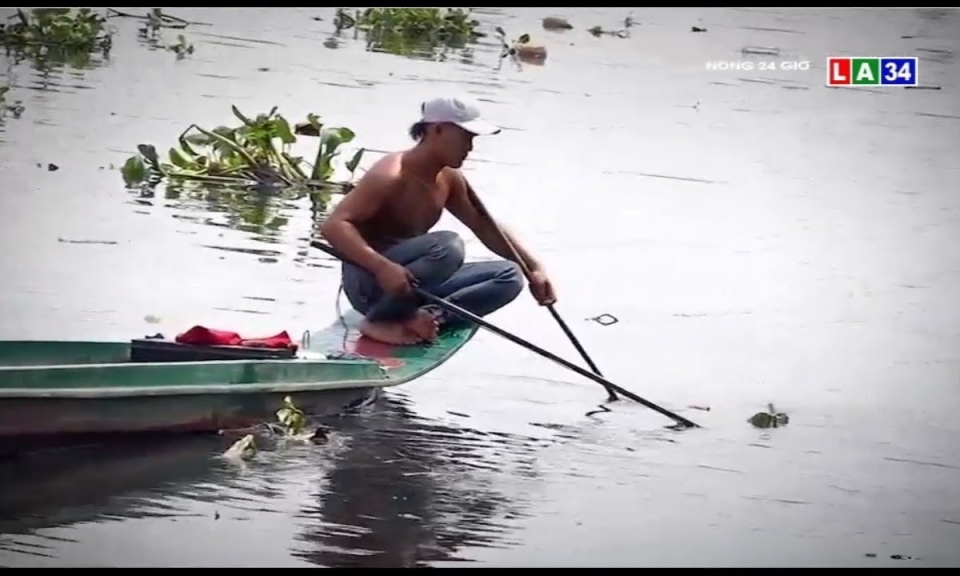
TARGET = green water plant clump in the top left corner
x,y
57,28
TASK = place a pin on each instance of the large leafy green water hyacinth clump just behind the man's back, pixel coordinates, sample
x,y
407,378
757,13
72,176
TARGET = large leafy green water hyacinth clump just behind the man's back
x,y
257,152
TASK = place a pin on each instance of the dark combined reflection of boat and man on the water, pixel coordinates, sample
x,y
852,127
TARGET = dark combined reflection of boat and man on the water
x,y
389,489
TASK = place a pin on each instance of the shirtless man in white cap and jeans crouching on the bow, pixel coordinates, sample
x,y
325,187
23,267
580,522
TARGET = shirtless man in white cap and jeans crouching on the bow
x,y
384,223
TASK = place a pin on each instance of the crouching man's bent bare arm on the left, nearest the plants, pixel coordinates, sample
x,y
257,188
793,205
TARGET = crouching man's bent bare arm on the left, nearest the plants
x,y
359,204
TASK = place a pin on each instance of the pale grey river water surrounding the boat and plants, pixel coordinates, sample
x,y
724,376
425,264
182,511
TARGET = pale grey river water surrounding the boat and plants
x,y
761,238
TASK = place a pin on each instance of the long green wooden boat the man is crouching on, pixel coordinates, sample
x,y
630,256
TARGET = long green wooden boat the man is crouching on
x,y
50,390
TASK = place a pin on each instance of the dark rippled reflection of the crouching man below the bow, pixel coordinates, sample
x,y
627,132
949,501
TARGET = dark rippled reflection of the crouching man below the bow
x,y
405,491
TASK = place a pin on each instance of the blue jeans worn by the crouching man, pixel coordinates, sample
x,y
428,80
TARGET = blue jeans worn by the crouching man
x,y
436,261
